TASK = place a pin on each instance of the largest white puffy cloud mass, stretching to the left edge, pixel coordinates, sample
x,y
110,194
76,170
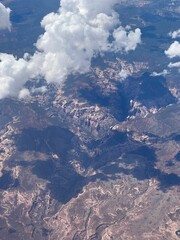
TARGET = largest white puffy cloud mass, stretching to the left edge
x,y
79,31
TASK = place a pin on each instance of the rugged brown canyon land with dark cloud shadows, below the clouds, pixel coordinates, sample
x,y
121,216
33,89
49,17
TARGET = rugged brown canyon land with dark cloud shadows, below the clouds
x,y
91,161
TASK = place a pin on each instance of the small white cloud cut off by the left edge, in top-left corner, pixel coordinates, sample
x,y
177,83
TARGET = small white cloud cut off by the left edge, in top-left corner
x,y
4,17
